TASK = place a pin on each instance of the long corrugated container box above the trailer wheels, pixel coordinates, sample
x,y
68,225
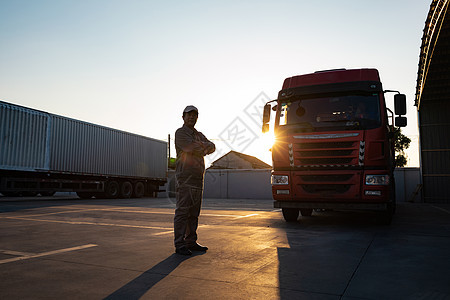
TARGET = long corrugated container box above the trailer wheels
x,y
32,140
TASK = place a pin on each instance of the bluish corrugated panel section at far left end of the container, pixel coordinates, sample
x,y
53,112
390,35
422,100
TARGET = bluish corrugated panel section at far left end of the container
x,y
23,138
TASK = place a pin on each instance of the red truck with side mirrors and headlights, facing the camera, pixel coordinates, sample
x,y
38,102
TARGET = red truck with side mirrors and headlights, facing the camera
x,y
334,143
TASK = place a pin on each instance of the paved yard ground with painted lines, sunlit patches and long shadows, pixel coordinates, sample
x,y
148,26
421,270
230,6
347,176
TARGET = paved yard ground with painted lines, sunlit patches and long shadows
x,y
67,248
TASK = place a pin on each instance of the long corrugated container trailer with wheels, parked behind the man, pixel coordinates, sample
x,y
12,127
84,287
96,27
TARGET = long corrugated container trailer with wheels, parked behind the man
x,y
44,153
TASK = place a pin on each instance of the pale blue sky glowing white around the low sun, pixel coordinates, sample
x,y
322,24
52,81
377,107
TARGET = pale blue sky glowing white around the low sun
x,y
134,65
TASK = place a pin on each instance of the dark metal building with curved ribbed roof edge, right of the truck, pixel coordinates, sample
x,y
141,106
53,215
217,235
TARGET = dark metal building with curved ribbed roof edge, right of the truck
x,y
433,101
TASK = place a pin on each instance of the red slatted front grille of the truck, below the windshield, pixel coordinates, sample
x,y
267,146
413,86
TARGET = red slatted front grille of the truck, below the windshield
x,y
324,165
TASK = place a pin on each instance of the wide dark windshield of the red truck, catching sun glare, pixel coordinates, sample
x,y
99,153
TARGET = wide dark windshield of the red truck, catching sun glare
x,y
348,112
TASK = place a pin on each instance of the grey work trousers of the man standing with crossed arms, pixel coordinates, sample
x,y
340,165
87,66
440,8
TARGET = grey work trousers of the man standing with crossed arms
x,y
189,202
